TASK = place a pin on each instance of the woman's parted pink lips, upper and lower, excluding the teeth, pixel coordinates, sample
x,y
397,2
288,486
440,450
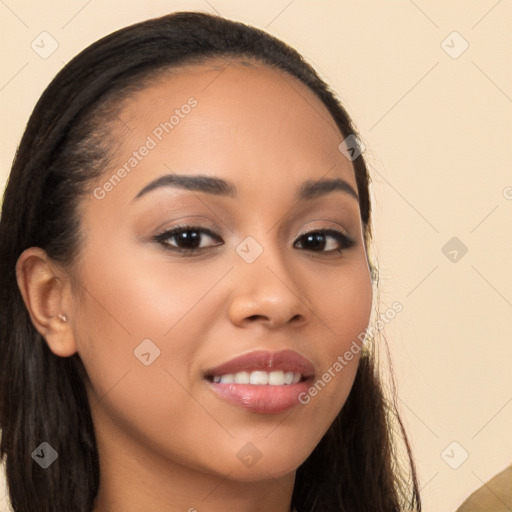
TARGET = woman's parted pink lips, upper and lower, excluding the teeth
x,y
263,399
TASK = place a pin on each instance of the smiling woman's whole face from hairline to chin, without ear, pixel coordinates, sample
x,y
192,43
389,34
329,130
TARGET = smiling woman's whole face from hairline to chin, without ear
x,y
268,269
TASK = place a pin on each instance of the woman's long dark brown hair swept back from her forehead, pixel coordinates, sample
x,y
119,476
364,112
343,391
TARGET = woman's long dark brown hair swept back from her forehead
x,y
65,147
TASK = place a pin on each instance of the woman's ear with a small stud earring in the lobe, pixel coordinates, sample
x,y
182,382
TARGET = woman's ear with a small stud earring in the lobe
x,y
46,291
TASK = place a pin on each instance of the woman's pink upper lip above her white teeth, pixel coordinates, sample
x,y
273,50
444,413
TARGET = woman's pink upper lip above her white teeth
x,y
285,360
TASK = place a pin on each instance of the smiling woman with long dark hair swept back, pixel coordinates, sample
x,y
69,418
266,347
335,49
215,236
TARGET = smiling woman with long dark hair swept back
x,y
187,288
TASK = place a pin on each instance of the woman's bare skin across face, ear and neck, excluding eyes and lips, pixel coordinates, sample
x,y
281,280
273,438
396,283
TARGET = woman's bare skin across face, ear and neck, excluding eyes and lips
x,y
165,441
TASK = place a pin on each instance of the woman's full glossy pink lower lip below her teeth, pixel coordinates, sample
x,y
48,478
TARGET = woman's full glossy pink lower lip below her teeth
x,y
264,399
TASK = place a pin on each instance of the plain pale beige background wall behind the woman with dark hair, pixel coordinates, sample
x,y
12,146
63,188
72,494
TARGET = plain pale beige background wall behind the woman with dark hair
x,y
437,131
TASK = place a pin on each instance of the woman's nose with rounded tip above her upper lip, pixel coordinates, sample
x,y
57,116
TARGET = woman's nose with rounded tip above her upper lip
x,y
267,292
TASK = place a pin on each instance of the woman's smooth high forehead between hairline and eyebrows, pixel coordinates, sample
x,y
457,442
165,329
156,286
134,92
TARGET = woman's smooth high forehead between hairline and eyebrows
x,y
240,120
